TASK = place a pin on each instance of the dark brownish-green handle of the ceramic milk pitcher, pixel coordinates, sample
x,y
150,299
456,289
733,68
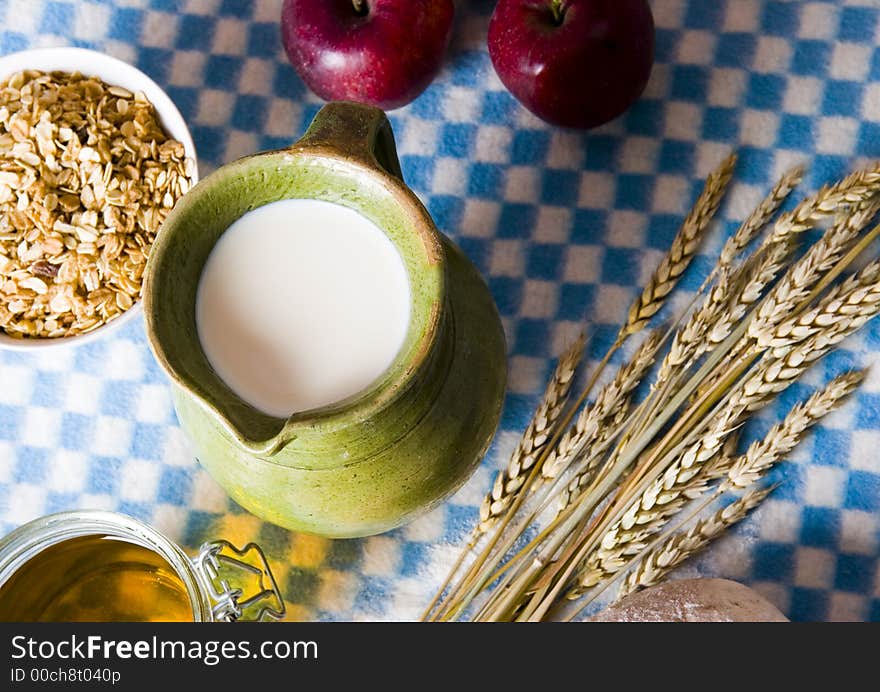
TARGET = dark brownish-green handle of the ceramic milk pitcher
x,y
359,131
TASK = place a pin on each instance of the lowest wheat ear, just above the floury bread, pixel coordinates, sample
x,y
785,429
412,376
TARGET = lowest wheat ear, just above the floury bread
x,y
679,547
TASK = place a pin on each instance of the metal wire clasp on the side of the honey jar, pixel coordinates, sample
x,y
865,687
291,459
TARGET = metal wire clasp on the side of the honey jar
x,y
219,563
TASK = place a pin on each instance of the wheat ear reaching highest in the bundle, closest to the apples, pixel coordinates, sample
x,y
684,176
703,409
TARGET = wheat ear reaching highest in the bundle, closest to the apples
x,y
684,247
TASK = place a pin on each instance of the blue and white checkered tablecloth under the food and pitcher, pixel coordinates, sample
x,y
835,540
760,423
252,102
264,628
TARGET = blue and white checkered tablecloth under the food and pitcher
x,y
565,227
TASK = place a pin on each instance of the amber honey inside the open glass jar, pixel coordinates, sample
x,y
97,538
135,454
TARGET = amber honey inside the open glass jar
x,y
95,578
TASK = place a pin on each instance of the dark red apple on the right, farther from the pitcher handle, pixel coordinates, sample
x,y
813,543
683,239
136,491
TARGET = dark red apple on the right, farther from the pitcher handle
x,y
574,63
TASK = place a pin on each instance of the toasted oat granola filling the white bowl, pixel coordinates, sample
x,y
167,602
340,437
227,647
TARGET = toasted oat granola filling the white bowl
x,y
87,175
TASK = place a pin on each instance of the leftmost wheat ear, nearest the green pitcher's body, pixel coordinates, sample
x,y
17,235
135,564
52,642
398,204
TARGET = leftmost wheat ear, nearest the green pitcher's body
x,y
509,481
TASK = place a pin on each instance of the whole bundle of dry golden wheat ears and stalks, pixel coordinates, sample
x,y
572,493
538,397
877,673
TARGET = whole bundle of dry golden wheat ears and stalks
x,y
621,472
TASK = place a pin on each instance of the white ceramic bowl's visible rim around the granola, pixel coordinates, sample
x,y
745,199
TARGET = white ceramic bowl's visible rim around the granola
x,y
117,73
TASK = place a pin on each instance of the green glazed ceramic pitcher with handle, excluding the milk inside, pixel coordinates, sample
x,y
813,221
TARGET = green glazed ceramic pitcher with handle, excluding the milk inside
x,y
378,459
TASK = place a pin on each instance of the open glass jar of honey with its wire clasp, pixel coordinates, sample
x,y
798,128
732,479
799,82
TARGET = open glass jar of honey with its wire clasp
x,y
94,566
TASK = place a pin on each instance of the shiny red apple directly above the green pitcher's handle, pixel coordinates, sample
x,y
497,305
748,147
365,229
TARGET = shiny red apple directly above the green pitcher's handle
x,y
381,52
